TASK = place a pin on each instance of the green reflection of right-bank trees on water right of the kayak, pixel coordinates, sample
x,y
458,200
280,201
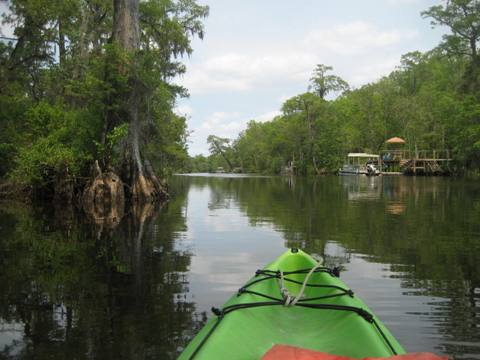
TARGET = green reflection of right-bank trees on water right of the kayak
x,y
424,230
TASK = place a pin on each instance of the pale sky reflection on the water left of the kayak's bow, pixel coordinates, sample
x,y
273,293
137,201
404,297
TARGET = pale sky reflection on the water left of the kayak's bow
x,y
226,248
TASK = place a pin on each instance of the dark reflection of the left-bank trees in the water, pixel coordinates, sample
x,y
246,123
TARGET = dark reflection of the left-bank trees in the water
x,y
94,289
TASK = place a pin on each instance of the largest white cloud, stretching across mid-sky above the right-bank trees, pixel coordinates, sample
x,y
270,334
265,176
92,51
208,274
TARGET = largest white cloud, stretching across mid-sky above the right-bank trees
x,y
292,63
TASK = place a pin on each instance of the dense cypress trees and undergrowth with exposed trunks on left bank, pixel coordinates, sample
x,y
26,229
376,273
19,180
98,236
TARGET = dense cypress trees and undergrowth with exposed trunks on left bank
x,y
87,98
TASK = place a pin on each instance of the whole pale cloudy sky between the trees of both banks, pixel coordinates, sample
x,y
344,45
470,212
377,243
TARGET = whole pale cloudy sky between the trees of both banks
x,y
258,53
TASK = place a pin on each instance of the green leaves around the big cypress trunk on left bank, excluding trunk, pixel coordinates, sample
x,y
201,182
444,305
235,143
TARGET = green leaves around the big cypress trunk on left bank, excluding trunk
x,y
60,111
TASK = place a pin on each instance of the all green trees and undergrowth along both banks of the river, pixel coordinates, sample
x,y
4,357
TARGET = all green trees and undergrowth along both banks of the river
x,y
87,99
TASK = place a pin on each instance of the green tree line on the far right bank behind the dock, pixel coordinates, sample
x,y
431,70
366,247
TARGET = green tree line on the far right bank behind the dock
x,y
431,100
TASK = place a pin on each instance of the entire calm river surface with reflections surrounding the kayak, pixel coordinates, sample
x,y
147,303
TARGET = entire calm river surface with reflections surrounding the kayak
x,y
72,287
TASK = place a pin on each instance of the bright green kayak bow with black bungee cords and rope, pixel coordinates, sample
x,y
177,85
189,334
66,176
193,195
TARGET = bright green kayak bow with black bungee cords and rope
x,y
293,301
